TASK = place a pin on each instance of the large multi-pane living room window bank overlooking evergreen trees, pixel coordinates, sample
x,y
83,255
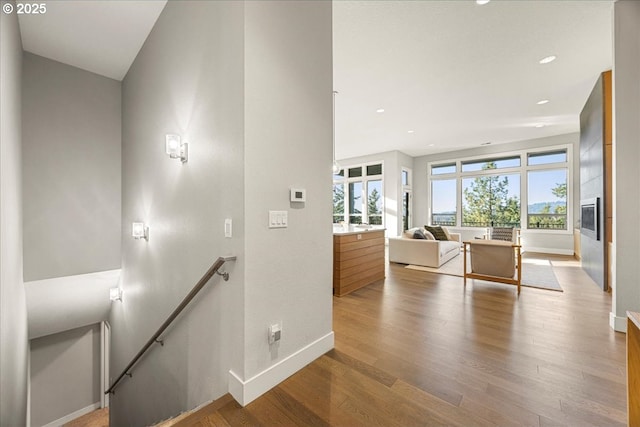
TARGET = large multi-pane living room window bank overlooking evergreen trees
x,y
527,189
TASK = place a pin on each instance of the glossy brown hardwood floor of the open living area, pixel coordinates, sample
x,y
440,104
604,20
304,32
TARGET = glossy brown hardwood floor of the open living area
x,y
421,350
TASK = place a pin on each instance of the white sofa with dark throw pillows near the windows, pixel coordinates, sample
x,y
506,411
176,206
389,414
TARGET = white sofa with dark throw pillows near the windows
x,y
427,253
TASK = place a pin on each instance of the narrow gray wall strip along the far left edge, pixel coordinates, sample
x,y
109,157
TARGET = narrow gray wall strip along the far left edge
x,y
14,345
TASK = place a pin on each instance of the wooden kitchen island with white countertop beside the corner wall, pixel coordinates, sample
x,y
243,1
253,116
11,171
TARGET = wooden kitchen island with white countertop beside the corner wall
x,y
358,259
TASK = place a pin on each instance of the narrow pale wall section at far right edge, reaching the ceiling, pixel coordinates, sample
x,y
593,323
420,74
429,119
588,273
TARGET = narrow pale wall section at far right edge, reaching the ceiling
x,y
626,146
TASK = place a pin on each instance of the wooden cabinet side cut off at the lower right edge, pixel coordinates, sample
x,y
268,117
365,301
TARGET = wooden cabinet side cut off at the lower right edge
x,y
633,368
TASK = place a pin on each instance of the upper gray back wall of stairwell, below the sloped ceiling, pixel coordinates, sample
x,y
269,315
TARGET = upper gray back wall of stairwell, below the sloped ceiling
x,y
71,170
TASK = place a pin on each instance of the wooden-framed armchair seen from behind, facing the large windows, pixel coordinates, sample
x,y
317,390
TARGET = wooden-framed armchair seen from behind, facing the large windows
x,y
493,260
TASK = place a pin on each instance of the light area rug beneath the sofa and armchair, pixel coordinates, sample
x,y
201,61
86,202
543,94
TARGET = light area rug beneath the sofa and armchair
x,y
536,273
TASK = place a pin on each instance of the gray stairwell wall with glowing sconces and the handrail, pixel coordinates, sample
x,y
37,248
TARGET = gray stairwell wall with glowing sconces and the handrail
x,y
187,79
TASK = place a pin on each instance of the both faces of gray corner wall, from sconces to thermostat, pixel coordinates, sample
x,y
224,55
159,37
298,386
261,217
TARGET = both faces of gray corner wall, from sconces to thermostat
x,y
251,86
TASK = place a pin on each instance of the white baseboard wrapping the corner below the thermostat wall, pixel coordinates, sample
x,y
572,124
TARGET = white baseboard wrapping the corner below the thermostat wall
x,y
246,391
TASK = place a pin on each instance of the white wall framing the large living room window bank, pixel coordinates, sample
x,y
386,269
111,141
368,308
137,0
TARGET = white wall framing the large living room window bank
x,y
555,242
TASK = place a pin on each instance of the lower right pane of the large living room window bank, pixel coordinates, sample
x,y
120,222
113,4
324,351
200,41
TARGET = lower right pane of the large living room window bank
x,y
547,208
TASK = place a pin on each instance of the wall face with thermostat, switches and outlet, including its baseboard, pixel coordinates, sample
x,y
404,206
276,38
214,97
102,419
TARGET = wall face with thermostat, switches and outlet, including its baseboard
x,y
288,113
